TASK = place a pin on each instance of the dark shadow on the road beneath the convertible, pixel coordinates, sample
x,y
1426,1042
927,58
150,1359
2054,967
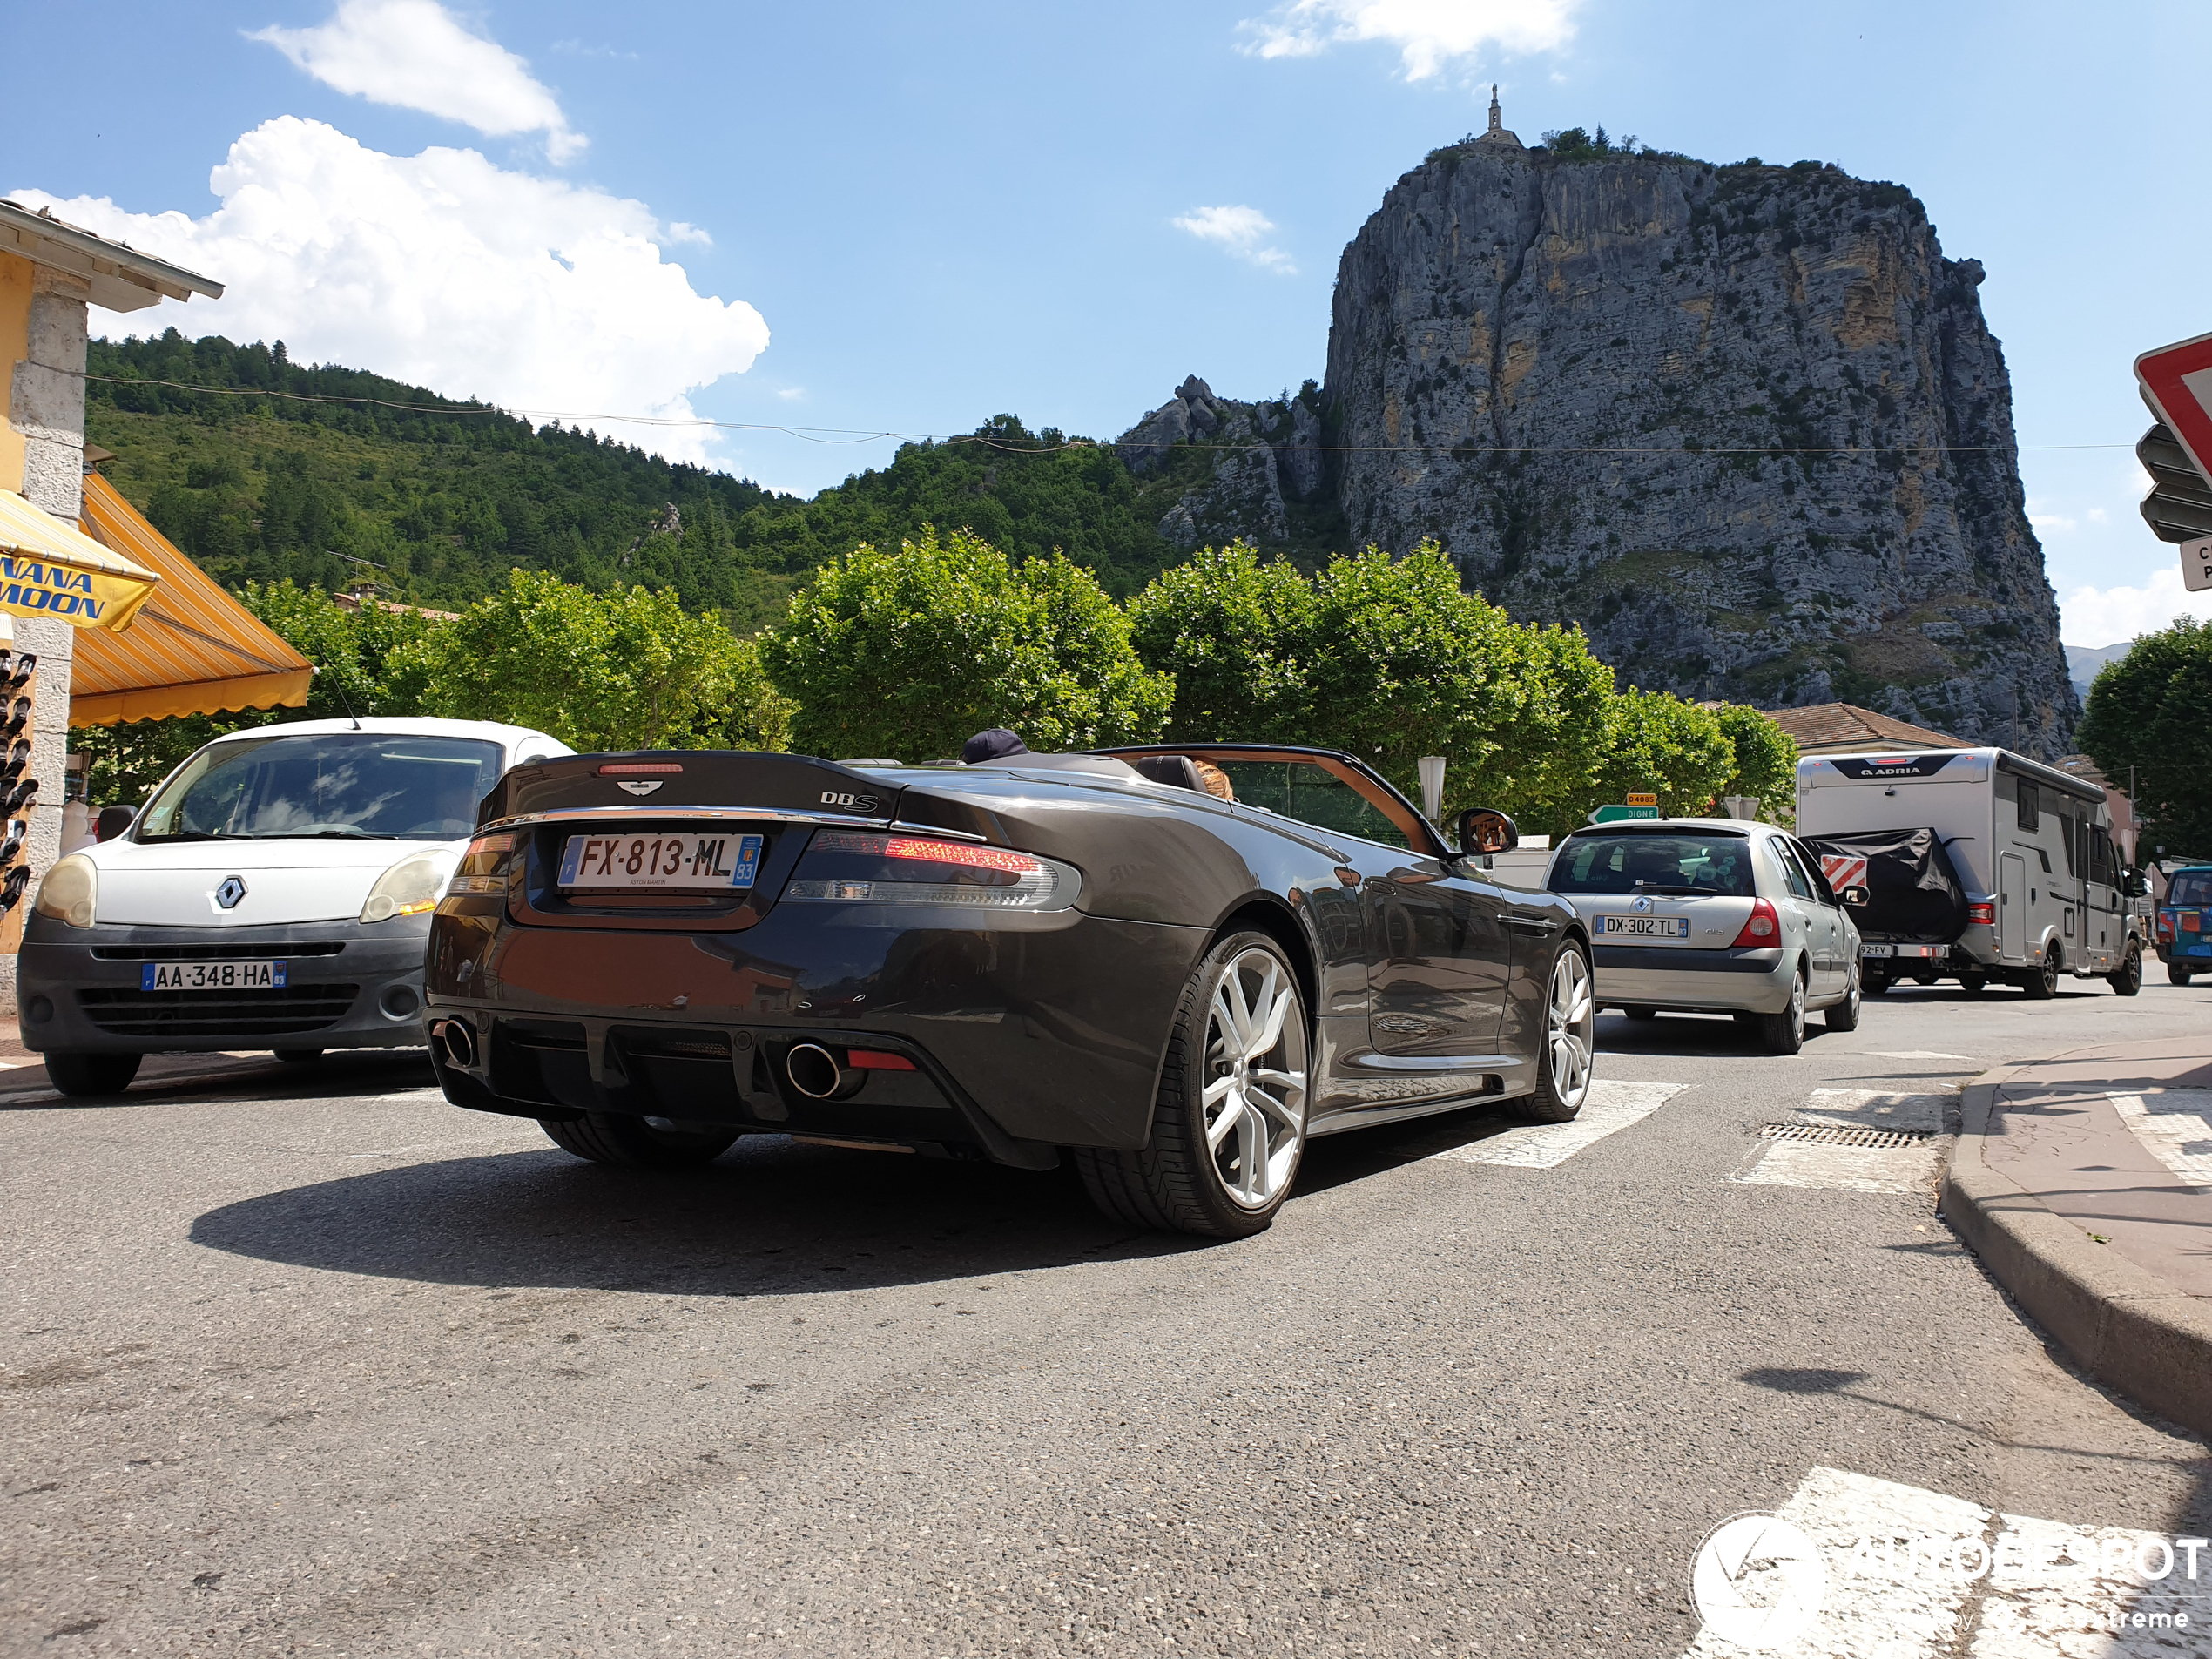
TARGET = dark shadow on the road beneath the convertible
x,y
771,1218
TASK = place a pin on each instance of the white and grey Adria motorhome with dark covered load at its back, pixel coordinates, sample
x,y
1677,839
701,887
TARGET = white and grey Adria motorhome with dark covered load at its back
x,y
2032,846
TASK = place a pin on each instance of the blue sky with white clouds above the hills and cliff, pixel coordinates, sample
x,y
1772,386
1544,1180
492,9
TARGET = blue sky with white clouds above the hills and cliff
x,y
897,218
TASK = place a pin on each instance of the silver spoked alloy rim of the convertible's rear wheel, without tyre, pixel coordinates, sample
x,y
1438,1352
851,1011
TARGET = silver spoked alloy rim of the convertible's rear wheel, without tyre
x,y
1255,1078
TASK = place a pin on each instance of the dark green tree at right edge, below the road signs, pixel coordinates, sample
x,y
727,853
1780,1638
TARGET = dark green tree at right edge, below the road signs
x,y
2147,711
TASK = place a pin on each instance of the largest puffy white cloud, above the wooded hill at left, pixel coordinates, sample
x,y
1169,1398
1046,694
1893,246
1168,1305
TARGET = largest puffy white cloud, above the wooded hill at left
x,y
446,271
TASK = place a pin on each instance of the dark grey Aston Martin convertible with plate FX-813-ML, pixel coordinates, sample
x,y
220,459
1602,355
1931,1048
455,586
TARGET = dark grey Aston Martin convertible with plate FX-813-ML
x,y
1171,966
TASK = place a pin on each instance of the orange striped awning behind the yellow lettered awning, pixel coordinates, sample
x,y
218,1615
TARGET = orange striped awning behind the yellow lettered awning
x,y
194,651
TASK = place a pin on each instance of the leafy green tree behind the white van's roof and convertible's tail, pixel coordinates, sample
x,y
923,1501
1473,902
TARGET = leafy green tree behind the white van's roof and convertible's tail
x,y
598,671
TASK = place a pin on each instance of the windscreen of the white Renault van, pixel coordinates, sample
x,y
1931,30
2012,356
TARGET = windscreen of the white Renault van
x,y
326,784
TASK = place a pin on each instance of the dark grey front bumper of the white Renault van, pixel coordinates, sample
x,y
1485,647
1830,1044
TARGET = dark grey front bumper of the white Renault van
x,y
351,985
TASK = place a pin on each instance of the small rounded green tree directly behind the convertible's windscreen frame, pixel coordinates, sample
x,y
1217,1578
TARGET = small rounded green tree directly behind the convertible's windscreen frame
x,y
1231,629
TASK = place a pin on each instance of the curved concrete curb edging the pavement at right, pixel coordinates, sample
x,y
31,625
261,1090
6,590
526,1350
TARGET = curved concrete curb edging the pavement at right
x,y
2122,1324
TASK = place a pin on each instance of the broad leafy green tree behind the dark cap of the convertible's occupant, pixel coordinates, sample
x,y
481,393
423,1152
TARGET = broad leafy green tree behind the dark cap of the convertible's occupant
x,y
908,654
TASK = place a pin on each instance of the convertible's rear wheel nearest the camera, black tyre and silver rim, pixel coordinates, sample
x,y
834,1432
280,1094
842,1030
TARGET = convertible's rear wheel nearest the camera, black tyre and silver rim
x,y
1220,1167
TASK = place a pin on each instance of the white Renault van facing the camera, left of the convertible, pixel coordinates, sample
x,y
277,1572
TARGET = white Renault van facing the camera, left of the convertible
x,y
273,895
